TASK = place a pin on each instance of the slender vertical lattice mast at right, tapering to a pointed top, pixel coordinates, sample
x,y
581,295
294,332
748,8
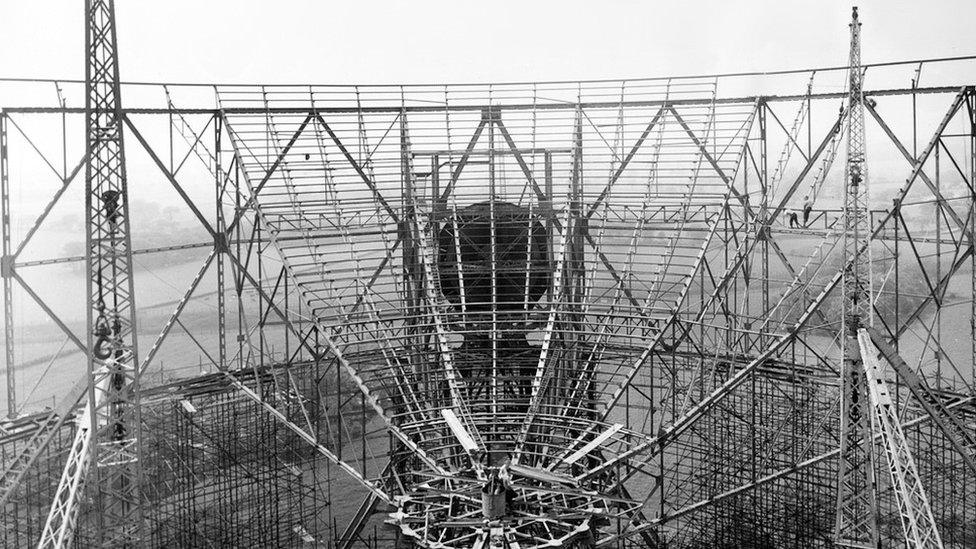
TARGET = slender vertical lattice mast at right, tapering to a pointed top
x,y
856,522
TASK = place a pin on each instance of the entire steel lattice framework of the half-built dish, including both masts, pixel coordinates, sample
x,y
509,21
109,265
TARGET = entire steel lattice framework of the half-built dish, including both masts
x,y
598,280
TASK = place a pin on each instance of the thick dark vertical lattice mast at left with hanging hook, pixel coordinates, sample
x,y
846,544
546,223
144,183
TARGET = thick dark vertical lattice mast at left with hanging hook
x,y
113,366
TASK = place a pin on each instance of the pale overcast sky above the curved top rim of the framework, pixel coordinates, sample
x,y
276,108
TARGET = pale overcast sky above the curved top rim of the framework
x,y
442,41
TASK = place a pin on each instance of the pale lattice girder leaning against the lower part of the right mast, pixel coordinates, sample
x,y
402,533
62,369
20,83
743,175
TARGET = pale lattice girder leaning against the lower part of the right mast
x,y
916,514
